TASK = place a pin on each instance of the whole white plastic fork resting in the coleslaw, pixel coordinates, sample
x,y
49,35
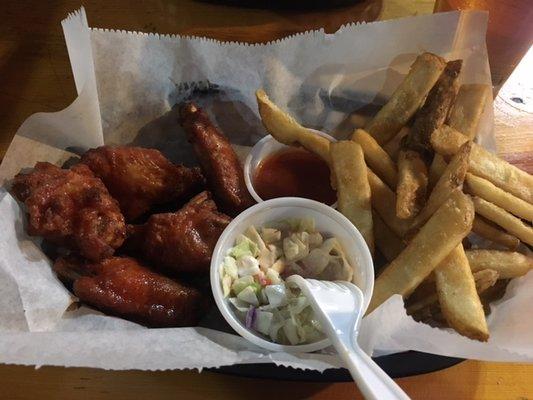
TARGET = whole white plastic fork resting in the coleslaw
x,y
339,307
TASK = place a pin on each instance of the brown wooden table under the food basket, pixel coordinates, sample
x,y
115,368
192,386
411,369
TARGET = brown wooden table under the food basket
x,y
35,74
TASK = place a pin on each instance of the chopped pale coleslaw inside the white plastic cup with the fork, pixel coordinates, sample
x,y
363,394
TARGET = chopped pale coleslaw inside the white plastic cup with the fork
x,y
253,278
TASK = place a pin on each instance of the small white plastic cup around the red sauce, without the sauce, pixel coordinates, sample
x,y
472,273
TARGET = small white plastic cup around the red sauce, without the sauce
x,y
261,150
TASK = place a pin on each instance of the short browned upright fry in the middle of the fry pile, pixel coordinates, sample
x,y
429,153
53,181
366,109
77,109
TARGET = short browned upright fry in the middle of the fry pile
x,y
412,184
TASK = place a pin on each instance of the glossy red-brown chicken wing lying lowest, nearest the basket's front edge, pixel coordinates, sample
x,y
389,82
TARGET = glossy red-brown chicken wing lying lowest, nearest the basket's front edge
x,y
123,287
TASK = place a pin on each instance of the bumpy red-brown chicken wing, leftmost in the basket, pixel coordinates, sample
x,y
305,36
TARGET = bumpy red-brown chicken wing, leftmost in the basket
x,y
72,208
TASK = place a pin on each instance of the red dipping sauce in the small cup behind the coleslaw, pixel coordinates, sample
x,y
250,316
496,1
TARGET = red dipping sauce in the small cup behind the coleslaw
x,y
294,172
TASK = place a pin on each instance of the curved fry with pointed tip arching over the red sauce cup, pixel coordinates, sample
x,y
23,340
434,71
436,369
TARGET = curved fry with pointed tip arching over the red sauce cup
x,y
286,130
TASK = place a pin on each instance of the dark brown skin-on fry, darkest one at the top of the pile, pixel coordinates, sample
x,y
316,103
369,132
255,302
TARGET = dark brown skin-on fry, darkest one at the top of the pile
x,y
434,111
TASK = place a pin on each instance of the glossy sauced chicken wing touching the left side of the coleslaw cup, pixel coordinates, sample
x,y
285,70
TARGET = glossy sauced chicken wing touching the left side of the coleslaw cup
x,y
182,241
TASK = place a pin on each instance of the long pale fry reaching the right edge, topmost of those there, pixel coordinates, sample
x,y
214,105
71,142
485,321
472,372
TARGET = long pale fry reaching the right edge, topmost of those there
x,y
447,141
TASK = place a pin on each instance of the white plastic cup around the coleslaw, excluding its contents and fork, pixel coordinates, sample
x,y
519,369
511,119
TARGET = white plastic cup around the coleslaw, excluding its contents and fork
x,y
328,221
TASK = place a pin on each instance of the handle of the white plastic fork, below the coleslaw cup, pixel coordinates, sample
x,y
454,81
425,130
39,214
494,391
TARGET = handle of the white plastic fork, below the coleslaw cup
x,y
372,381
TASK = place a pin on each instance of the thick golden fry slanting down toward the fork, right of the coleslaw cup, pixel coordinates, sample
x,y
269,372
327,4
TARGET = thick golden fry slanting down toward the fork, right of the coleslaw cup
x,y
431,245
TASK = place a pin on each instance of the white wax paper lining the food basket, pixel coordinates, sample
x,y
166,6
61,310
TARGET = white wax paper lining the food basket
x,y
127,86
